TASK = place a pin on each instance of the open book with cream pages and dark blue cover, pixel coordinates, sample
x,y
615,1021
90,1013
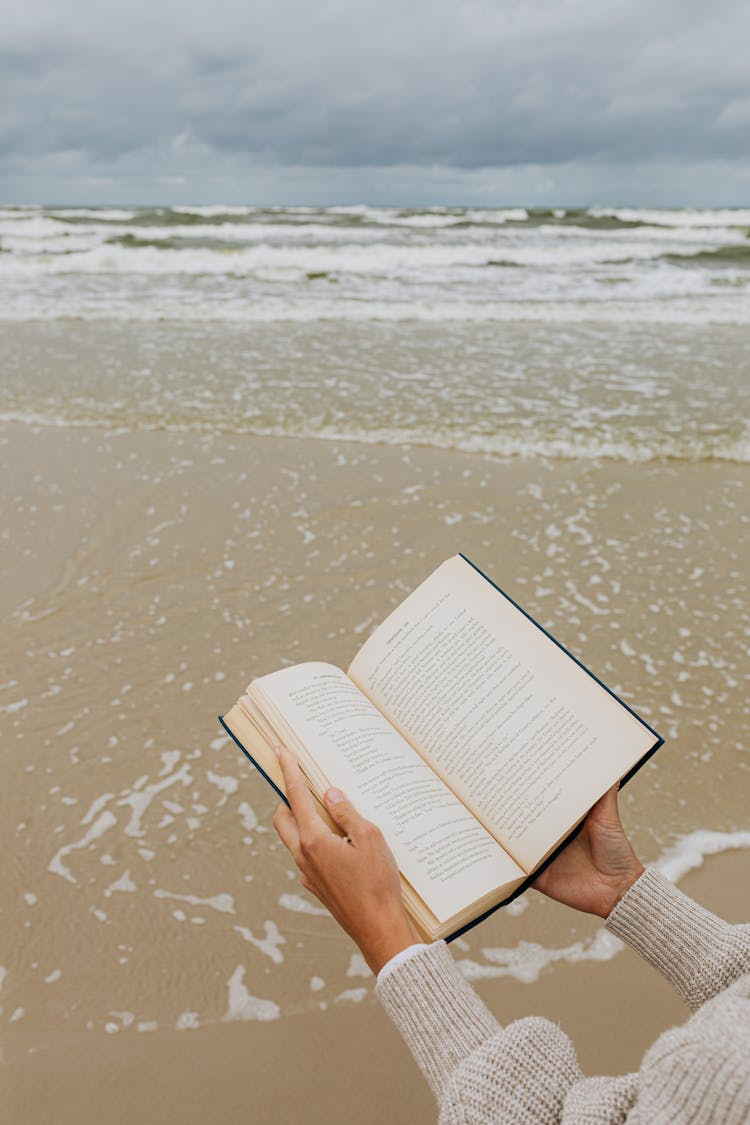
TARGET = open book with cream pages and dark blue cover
x,y
472,737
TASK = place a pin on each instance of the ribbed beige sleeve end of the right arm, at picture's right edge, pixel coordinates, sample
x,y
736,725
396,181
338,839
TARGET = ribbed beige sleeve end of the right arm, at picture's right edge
x,y
699,953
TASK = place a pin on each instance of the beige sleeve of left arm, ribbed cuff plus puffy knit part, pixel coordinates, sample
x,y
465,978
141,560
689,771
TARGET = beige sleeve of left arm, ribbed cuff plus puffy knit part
x,y
478,1070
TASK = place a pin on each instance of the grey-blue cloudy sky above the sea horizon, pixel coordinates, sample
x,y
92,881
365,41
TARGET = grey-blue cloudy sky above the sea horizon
x,y
494,102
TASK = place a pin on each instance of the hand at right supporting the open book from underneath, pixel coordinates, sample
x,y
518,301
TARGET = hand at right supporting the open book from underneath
x,y
598,868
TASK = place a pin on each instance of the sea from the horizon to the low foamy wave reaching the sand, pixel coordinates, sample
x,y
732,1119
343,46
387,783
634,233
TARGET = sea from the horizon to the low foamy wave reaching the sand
x,y
592,334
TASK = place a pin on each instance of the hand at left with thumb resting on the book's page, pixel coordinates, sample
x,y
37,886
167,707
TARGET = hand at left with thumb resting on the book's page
x,y
354,876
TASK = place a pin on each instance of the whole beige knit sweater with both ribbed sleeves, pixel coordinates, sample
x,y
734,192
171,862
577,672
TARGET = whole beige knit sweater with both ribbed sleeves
x,y
528,1073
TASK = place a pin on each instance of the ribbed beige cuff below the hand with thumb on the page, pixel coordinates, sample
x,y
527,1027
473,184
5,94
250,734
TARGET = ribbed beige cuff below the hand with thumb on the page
x,y
440,1016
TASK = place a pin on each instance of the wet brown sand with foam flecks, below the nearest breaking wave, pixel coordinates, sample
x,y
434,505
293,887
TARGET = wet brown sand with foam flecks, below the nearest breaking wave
x,y
161,960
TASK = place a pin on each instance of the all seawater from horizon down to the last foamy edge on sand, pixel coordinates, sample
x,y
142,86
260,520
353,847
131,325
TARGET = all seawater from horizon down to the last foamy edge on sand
x,y
607,349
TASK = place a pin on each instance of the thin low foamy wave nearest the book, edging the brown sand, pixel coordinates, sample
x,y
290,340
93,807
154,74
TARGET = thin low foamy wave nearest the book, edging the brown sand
x,y
567,446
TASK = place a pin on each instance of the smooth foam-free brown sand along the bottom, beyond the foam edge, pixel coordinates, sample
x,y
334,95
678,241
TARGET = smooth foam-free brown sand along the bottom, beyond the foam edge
x,y
345,1065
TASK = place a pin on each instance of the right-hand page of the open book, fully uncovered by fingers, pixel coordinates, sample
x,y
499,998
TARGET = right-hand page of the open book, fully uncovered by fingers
x,y
516,727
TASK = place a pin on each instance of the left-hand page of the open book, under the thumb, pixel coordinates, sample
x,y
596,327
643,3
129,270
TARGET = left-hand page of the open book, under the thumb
x,y
444,852
